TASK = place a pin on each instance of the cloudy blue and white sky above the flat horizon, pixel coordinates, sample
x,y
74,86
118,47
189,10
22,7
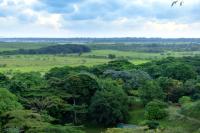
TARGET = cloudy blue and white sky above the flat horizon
x,y
99,18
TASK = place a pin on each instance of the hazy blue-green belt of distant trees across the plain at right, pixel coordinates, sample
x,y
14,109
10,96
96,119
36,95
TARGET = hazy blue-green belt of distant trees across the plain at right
x,y
148,47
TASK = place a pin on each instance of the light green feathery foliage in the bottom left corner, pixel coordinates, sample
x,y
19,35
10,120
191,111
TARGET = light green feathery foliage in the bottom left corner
x,y
29,122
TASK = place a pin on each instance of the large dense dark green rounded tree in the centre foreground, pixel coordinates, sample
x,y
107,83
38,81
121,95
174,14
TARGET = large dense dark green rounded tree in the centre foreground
x,y
109,105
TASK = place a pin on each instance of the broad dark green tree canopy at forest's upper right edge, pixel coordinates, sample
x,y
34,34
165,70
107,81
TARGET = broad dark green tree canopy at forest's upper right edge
x,y
174,68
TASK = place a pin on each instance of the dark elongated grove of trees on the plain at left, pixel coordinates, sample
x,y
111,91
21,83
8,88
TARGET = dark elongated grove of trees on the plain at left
x,y
57,49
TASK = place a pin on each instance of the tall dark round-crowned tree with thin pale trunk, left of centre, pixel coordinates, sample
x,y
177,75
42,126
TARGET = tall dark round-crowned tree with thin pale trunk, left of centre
x,y
81,87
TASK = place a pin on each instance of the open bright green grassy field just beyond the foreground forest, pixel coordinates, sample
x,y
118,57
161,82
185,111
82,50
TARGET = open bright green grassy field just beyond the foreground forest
x,y
43,63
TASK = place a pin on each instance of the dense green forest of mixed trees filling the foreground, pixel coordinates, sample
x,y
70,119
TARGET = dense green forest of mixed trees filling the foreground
x,y
68,99
